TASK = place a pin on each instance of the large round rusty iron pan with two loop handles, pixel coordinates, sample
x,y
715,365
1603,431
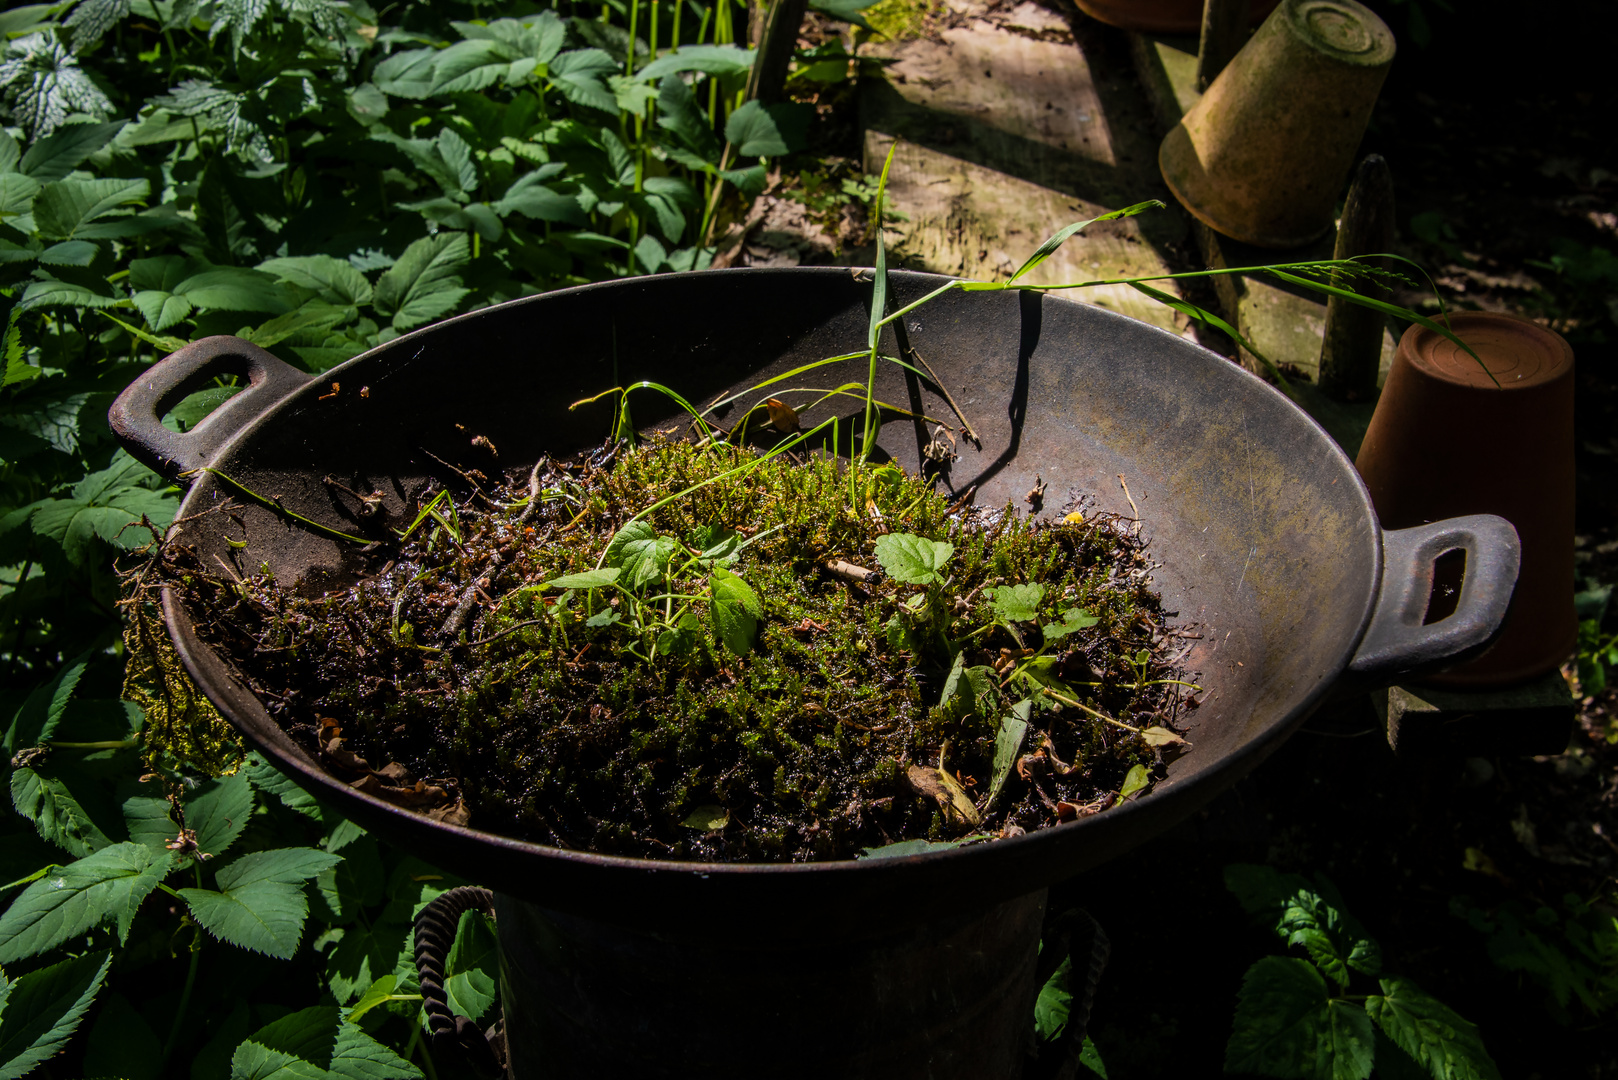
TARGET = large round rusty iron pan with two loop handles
x,y
1269,546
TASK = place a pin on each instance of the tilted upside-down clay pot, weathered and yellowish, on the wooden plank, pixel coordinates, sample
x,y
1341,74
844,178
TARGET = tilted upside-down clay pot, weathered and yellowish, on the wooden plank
x,y
1264,155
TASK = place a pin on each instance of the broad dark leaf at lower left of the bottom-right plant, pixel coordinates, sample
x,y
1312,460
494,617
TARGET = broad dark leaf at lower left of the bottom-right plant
x,y
1287,1026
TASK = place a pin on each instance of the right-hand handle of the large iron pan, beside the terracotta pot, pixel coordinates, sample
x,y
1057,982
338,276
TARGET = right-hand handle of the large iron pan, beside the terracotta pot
x,y
1397,644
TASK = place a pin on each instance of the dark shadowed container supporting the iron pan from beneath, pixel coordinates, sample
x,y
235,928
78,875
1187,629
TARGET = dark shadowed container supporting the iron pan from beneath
x,y
947,1000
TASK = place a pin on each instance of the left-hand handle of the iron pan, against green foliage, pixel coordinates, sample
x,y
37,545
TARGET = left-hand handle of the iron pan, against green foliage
x,y
137,415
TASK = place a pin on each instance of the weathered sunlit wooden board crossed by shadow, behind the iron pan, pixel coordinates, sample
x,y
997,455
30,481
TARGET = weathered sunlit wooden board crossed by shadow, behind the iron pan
x,y
1009,132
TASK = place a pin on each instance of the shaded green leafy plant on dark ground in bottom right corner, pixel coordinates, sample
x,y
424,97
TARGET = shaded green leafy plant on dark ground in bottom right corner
x,y
1294,1023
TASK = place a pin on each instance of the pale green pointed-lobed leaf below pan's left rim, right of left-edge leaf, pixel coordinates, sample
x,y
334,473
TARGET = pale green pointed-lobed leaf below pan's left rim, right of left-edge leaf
x,y
261,904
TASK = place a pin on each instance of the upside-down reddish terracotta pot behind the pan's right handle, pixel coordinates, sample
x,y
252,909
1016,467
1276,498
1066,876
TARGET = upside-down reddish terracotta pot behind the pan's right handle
x,y
1447,441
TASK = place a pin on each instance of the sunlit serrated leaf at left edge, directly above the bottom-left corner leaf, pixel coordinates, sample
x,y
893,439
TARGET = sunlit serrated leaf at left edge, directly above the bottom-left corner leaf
x,y
74,899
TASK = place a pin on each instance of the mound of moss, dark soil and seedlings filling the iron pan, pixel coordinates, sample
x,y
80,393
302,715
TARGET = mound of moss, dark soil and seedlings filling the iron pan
x,y
784,665
